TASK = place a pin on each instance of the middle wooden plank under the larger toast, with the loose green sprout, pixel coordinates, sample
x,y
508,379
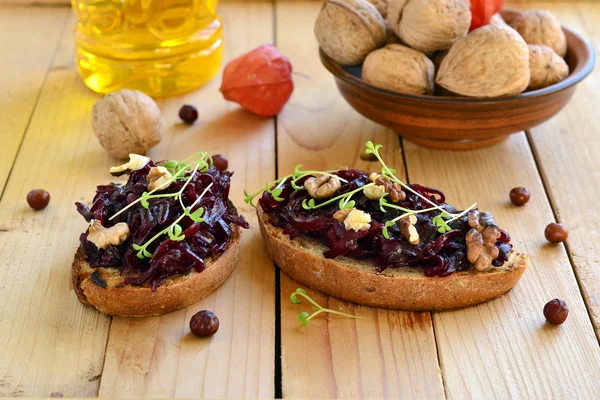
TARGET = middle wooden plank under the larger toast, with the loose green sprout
x,y
388,354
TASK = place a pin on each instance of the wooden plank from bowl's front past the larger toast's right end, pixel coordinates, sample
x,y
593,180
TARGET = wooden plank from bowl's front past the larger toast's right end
x,y
504,349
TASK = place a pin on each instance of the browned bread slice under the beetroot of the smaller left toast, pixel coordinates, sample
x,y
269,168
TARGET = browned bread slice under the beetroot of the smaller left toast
x,y
104,288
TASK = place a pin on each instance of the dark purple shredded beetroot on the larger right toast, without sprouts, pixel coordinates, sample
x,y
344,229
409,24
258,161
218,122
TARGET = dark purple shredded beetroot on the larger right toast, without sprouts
x,y
438,254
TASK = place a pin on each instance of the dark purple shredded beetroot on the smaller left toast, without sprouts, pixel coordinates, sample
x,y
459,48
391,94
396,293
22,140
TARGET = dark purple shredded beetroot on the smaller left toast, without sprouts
x,y
170,258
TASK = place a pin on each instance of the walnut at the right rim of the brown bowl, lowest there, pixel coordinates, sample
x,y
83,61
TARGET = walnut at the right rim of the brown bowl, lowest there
x,y
545,66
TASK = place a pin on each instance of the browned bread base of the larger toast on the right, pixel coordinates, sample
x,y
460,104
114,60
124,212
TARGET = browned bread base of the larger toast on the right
x,y
395,288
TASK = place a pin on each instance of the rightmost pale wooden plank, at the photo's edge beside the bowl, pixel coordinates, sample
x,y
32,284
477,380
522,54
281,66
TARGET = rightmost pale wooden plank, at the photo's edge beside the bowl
x,y
567,149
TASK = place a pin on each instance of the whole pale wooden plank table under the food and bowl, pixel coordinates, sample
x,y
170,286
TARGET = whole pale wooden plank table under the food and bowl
x,y
50,343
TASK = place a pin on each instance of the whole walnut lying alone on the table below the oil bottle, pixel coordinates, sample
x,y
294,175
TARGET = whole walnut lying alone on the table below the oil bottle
x,y
127,122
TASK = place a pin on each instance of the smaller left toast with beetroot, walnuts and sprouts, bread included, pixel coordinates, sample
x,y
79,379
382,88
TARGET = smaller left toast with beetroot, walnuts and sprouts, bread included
x,y
160,242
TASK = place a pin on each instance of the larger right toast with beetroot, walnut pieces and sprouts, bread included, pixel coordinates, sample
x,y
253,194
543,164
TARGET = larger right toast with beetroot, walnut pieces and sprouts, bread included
x,y
374,240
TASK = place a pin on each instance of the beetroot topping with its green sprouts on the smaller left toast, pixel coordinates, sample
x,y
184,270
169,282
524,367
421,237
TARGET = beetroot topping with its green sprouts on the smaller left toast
x,y
173,230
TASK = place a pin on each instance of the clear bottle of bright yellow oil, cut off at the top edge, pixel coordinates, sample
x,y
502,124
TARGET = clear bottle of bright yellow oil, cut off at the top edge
x,y
160,47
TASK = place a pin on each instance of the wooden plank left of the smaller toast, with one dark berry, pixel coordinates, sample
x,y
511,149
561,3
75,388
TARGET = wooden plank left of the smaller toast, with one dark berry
x,y
49,342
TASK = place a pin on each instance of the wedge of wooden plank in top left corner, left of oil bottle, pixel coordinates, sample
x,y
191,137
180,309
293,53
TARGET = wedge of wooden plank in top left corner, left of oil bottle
x,y
22,72
